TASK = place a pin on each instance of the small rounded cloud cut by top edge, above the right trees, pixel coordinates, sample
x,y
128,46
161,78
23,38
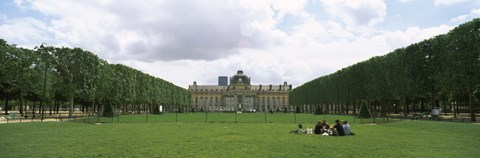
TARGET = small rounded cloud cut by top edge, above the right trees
x,y
357,12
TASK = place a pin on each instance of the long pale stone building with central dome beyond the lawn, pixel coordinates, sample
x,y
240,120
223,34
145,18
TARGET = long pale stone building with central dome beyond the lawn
x,y
240,96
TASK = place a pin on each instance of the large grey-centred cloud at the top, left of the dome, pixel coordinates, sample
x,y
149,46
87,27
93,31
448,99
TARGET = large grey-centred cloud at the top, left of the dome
x,y
184,30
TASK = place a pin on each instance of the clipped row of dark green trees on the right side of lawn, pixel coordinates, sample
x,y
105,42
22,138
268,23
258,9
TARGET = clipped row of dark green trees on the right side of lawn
x,y
442,70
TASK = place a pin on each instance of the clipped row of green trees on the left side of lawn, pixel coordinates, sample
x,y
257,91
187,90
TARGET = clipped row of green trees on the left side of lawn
x,y
51,76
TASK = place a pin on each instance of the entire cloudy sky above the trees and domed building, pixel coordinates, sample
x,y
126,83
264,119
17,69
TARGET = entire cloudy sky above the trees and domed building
x,y
272,41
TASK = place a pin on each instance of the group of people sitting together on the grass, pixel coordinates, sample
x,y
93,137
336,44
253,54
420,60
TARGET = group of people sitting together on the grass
x,y
341,128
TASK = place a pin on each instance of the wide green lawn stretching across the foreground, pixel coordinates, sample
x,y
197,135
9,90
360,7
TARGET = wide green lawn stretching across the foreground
x,y
396,139
